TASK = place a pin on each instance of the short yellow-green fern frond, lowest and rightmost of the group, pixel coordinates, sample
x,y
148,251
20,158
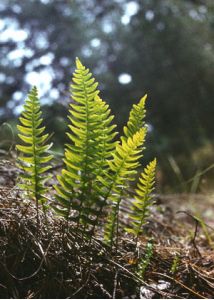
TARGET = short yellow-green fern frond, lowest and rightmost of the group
x,y
143,199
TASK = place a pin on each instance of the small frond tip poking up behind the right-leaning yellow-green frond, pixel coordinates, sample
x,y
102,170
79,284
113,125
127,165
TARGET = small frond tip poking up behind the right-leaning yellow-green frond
x,y
136,118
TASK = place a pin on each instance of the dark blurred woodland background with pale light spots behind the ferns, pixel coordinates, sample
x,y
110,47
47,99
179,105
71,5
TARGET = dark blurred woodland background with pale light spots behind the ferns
x,y
164,48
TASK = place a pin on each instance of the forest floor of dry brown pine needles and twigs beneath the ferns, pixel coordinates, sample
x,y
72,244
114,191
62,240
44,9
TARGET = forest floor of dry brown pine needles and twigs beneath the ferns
x,y
51,260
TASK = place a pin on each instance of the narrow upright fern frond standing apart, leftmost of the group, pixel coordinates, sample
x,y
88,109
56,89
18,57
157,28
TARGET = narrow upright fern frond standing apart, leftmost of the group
x,y
33,156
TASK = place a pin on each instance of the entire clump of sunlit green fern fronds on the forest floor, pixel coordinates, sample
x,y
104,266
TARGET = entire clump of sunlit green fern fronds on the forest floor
x,y
97,169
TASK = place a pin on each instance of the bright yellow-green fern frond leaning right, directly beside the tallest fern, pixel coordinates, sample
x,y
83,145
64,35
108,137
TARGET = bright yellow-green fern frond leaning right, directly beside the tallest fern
x,y
123,166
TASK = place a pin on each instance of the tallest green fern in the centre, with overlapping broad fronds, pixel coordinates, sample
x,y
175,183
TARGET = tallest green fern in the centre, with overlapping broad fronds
x,y
90,145
